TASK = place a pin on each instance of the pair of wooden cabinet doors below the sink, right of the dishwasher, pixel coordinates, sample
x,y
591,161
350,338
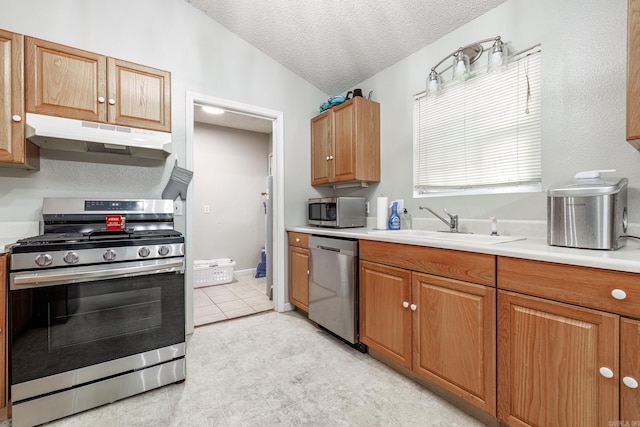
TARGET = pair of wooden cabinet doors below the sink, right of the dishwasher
x,y
442,329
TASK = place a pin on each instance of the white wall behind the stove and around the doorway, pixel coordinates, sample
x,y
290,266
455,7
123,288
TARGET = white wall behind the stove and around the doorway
x,y
202,57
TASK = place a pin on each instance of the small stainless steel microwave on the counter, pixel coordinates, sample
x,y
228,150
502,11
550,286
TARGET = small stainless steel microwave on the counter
x,y
337,212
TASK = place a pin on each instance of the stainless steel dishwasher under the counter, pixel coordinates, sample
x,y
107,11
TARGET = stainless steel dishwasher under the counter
x,y
333,290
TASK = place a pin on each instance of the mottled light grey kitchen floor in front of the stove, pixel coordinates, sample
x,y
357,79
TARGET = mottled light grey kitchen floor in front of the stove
x,y
277,369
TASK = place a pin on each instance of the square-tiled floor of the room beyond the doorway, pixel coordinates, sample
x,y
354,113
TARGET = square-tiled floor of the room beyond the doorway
x,y
245,295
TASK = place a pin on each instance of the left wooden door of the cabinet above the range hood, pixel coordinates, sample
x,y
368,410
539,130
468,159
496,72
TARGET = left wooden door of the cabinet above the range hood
x,y
64,81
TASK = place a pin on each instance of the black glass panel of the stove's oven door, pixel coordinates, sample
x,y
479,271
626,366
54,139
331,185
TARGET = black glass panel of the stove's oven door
x,y
60,328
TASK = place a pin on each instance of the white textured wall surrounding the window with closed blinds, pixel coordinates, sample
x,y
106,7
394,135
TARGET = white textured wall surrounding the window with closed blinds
x,y
583,102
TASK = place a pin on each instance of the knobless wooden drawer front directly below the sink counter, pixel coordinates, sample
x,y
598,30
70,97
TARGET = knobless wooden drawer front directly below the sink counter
x,y
466,266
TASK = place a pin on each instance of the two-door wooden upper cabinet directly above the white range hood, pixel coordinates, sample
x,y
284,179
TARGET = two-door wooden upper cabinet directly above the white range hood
x,y
67,82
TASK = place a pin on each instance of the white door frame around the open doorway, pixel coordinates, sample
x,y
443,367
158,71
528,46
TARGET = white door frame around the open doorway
x,y
278,274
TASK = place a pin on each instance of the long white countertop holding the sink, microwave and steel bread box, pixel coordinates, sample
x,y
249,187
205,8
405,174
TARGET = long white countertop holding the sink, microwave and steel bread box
x,y
626,258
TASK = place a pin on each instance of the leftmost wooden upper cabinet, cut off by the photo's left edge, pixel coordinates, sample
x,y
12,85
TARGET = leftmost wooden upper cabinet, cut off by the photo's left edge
x,y
15,151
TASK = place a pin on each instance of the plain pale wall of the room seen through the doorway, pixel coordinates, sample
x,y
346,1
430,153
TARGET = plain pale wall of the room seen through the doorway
x,y
230,170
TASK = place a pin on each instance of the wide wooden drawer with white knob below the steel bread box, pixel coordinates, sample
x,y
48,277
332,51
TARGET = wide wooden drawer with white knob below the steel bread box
x,y
584,286
